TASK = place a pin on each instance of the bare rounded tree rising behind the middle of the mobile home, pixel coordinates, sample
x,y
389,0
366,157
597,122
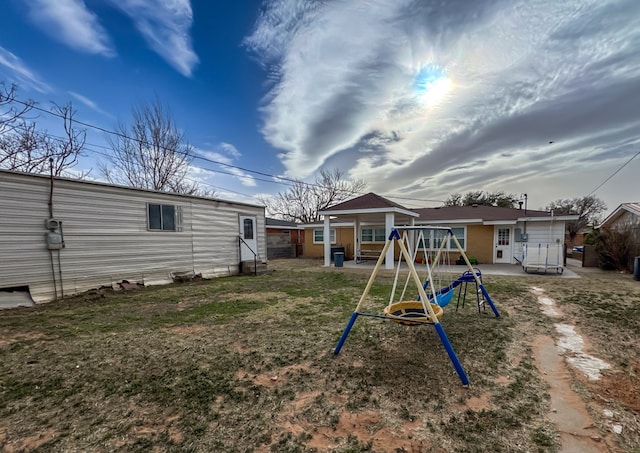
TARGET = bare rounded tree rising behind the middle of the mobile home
x,y
151,153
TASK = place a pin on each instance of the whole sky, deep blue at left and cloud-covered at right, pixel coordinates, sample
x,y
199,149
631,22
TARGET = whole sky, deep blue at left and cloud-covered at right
x,y
418,98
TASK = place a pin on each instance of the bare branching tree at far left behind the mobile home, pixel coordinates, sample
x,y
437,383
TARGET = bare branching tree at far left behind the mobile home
x,y
24,148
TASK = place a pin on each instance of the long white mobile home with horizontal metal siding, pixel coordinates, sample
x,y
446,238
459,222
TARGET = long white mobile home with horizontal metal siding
x,y
68,236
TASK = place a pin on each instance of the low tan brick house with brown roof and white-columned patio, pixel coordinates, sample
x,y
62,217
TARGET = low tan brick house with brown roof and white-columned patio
x,y
490,234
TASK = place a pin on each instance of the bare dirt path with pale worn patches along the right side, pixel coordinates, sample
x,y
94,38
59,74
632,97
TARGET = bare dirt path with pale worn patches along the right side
x,y
576,427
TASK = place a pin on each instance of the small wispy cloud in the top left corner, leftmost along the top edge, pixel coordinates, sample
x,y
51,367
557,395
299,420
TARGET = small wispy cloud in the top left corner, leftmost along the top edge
x,y
72,23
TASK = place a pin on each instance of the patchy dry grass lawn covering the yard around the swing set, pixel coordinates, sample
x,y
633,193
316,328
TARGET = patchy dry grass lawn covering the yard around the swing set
x,y
245,364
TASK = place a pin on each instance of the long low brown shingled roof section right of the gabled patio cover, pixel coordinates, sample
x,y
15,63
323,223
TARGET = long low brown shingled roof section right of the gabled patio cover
x,y
482,212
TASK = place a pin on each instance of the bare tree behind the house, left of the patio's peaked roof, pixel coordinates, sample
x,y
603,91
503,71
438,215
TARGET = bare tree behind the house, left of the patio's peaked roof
x,y
301,202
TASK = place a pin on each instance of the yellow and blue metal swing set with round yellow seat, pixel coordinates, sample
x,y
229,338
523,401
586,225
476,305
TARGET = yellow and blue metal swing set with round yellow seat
x,y
426,309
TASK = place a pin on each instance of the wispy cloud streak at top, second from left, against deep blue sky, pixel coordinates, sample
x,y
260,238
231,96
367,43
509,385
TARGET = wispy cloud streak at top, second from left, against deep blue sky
x,y
165,26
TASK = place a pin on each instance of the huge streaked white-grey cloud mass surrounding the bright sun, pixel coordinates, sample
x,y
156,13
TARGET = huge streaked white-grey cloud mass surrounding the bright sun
x,y
350,81
